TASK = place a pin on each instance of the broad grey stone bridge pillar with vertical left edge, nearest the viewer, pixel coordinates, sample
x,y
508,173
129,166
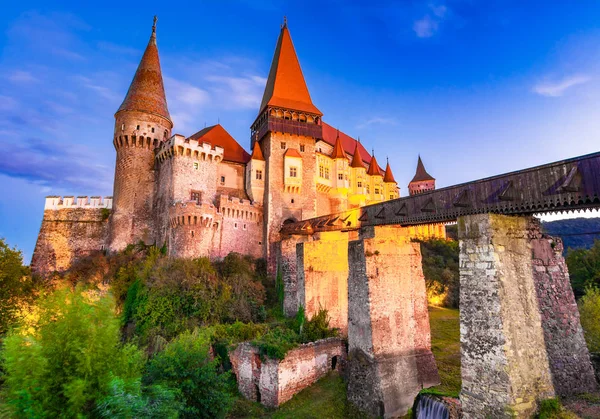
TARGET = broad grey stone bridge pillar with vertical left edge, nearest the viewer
x,y
504,366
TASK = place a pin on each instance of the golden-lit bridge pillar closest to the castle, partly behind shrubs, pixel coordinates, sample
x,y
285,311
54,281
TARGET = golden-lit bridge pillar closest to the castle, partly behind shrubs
x,y
322,272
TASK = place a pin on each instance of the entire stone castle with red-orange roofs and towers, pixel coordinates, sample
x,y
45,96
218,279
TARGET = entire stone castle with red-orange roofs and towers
x,y
205,195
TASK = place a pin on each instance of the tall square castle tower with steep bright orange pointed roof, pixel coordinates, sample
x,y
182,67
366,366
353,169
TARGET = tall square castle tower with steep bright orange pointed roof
x,y
287,126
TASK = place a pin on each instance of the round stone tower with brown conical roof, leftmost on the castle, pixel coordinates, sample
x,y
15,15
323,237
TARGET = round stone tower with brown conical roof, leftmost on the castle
x,y
142,122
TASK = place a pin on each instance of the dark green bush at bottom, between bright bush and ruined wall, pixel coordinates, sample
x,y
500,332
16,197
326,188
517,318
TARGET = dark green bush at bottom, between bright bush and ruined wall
x,y
186,364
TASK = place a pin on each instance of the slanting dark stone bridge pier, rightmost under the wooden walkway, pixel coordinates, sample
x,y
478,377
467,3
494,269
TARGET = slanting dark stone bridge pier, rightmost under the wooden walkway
x,y
572,372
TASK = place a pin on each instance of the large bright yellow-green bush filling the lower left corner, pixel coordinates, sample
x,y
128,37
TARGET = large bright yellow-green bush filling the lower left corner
x,y
63,362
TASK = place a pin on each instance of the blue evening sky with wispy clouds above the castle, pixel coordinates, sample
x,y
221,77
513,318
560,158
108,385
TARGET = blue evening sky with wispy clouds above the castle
x,y
476,87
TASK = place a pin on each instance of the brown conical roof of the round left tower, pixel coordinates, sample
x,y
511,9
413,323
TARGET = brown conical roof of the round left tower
x,y
147,92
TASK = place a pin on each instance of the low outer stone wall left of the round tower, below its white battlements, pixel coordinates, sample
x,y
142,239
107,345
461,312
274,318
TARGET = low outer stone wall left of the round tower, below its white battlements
x,y
67,235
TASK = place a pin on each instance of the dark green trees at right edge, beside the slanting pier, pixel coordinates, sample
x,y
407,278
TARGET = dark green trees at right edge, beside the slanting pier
x,y
584,268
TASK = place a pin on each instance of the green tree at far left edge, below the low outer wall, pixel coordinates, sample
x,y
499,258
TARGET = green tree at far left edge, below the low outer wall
x,y
15,285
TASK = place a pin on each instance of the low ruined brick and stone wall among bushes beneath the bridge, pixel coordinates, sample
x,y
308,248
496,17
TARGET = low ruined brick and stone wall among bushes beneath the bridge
x,y
273,382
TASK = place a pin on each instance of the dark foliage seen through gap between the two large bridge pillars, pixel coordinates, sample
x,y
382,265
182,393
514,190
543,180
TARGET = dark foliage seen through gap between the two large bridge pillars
x,y
441,270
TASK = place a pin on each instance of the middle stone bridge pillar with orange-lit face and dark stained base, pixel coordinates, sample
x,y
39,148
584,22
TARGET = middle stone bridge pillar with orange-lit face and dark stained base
x,y
389,341
